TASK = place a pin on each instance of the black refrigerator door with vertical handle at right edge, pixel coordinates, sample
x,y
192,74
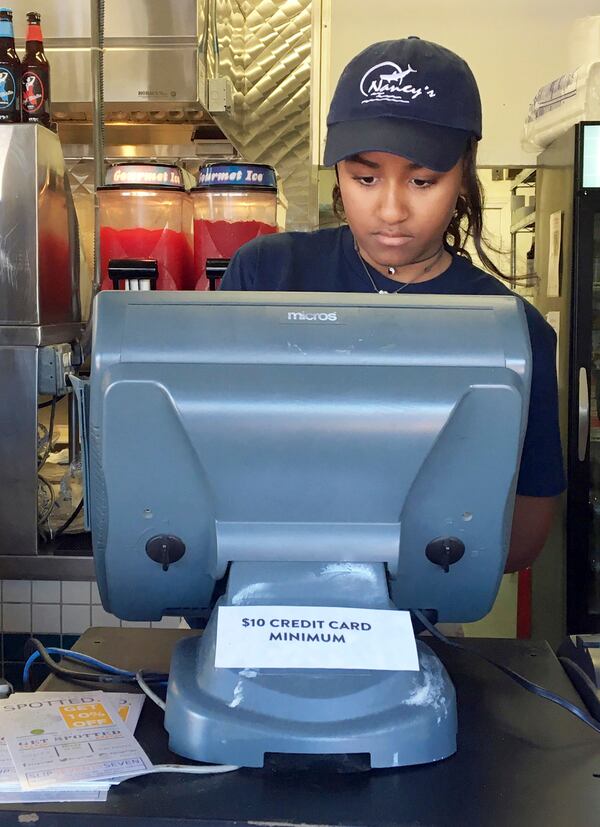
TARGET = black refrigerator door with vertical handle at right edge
x,y
583,521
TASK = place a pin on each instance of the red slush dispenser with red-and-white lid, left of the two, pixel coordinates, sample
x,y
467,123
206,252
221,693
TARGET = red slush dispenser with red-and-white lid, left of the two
x,y
145,228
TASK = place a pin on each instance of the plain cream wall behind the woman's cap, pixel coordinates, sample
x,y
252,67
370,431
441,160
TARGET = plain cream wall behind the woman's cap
x,y
512,46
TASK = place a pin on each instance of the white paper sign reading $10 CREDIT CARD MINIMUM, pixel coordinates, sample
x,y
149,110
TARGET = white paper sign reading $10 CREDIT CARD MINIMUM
x,y
310,637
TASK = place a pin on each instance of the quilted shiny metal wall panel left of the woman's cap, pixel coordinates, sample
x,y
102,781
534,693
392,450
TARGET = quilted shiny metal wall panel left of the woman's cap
x,y
264,47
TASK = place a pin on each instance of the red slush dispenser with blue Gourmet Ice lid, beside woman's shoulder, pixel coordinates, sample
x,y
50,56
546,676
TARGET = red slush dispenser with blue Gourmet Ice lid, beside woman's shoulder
x,y
233,203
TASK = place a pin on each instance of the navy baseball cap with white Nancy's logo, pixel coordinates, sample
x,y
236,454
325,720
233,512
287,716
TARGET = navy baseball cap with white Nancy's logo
x,y
409,97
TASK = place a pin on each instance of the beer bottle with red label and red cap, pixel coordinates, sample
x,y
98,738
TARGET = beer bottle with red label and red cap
x,y
35,75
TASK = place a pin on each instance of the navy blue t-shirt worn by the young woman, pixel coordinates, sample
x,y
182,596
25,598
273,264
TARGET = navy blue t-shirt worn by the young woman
x,y
326,261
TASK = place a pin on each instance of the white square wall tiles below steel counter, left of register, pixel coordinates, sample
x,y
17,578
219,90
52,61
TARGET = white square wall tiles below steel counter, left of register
x,y
58,607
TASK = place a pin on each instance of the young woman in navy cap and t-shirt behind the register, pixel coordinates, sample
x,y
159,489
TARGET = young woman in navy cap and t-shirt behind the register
x,y
402,133
